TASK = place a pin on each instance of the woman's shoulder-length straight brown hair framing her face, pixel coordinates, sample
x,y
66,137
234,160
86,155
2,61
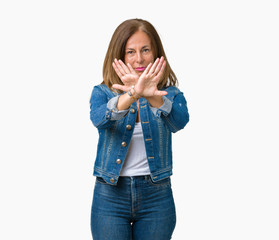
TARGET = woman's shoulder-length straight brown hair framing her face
x,y
117,47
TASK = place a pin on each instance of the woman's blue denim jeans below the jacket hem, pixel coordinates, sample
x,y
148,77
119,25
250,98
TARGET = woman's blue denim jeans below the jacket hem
x,y
135,209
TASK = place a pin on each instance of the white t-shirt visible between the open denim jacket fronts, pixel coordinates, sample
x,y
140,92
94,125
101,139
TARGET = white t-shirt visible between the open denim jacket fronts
x,y
136,163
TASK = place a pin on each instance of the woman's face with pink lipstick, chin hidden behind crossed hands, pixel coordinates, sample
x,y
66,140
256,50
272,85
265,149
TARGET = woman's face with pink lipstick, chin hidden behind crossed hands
x,y
138,52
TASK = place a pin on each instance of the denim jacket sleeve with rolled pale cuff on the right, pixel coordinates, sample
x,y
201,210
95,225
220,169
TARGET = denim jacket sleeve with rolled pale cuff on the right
x,y
174,111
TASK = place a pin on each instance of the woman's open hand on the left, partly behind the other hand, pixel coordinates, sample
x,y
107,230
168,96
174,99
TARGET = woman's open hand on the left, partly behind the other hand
x,y
127,75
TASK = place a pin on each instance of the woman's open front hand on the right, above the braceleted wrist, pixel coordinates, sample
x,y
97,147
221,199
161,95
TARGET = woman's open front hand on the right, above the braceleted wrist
x,y
146,86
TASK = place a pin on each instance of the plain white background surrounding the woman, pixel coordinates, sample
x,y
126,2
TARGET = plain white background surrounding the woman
x,y
226,57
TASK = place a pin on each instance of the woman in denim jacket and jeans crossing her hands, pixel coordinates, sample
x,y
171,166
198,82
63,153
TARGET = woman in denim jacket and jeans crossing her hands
x,y
135,109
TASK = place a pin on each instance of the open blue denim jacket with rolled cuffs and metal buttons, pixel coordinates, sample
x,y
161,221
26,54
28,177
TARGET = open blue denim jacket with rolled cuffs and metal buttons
x,y
116,128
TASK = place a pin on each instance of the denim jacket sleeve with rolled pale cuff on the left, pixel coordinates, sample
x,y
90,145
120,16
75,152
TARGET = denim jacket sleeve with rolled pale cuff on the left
x,y
103,110
